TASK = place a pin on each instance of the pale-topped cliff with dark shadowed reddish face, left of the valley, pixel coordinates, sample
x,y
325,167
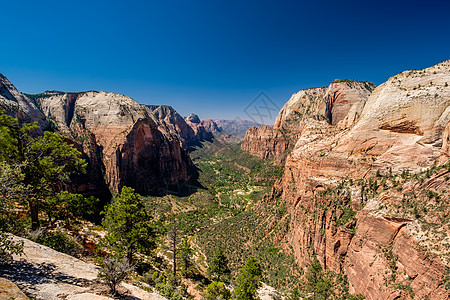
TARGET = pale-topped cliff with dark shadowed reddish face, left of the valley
x,y
122,139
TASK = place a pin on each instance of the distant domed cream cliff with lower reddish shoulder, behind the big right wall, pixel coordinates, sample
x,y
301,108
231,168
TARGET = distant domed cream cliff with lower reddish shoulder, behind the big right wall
x,y
340,103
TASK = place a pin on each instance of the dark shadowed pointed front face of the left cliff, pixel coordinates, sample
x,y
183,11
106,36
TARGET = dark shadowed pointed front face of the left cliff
x,y
150,161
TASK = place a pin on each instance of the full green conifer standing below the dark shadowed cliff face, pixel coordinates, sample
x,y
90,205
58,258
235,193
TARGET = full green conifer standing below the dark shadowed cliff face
x,y
128,225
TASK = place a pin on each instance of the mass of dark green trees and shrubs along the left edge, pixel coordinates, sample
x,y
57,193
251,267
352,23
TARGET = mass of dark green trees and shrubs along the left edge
x,y
34,191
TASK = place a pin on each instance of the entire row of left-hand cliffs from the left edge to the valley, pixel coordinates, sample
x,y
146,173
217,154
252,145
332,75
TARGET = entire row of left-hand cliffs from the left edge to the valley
x,y
124,142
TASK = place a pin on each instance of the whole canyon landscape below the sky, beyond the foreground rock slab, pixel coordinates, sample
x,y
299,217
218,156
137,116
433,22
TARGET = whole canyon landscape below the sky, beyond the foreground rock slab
x,y
345,197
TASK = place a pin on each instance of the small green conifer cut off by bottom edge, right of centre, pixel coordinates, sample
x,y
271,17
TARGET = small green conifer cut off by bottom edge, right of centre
x,y
248,280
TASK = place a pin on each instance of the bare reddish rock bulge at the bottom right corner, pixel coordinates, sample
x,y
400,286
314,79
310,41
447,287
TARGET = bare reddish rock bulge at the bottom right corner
x,y
383,252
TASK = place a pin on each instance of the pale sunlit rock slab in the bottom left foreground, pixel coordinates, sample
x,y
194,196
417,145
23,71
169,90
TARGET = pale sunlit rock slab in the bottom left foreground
x,y
43,273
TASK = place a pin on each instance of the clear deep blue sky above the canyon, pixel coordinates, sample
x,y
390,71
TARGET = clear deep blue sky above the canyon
x,y
214,57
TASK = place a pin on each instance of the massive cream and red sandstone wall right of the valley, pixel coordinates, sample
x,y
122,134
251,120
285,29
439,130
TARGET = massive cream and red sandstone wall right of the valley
x,y
351,130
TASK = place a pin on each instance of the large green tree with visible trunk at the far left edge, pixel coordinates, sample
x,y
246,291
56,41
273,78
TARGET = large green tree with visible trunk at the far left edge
x,y
41,164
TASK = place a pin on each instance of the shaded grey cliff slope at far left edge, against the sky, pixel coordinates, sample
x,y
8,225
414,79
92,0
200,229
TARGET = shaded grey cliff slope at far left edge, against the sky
x,y
18,105
